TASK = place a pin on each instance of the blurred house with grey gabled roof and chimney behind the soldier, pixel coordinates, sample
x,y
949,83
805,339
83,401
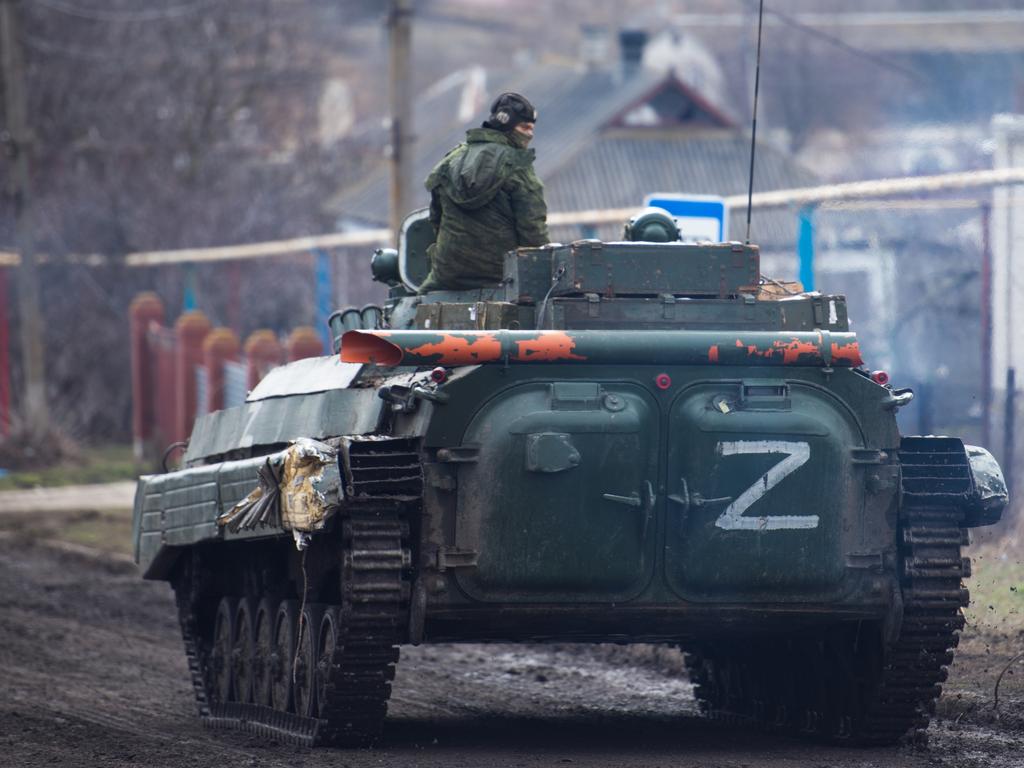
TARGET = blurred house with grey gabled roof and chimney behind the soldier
x,y
607,137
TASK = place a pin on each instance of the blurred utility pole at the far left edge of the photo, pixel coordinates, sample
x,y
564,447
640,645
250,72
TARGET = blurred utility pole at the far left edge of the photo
x,y
17,138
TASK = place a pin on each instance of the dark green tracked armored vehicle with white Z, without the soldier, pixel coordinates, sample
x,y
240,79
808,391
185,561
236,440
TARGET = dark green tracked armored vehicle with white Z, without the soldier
x,y
635,442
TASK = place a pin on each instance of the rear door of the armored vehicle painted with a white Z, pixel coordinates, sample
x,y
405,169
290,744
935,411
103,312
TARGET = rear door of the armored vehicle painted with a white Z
x,y
760,488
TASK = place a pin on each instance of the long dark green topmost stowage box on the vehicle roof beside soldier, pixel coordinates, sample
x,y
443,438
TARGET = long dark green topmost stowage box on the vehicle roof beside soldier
x,y
719,270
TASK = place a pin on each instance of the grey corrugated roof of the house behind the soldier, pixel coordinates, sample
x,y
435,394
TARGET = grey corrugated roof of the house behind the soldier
x,y
584,167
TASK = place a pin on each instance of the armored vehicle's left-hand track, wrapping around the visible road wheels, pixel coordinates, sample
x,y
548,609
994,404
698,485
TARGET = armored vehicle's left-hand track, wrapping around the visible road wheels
x,y
374,613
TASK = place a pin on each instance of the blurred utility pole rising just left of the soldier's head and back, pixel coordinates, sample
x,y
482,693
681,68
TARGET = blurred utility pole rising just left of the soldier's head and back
x,y
400,26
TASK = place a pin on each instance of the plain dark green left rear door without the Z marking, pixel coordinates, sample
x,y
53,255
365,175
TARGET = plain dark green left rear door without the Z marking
x,y
560,502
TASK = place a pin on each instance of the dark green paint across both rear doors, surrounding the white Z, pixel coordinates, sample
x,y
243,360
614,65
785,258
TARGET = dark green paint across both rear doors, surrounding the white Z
x,y
539,537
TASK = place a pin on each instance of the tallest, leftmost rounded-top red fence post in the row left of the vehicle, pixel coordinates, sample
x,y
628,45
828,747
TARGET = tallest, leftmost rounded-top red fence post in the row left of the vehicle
x,y
146,310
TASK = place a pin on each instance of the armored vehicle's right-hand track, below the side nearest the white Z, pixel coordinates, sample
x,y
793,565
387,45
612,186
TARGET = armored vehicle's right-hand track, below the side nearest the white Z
x,y
840,685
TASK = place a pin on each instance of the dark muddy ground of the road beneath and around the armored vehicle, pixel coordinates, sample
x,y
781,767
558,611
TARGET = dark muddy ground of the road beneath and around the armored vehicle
x,y
93,674
